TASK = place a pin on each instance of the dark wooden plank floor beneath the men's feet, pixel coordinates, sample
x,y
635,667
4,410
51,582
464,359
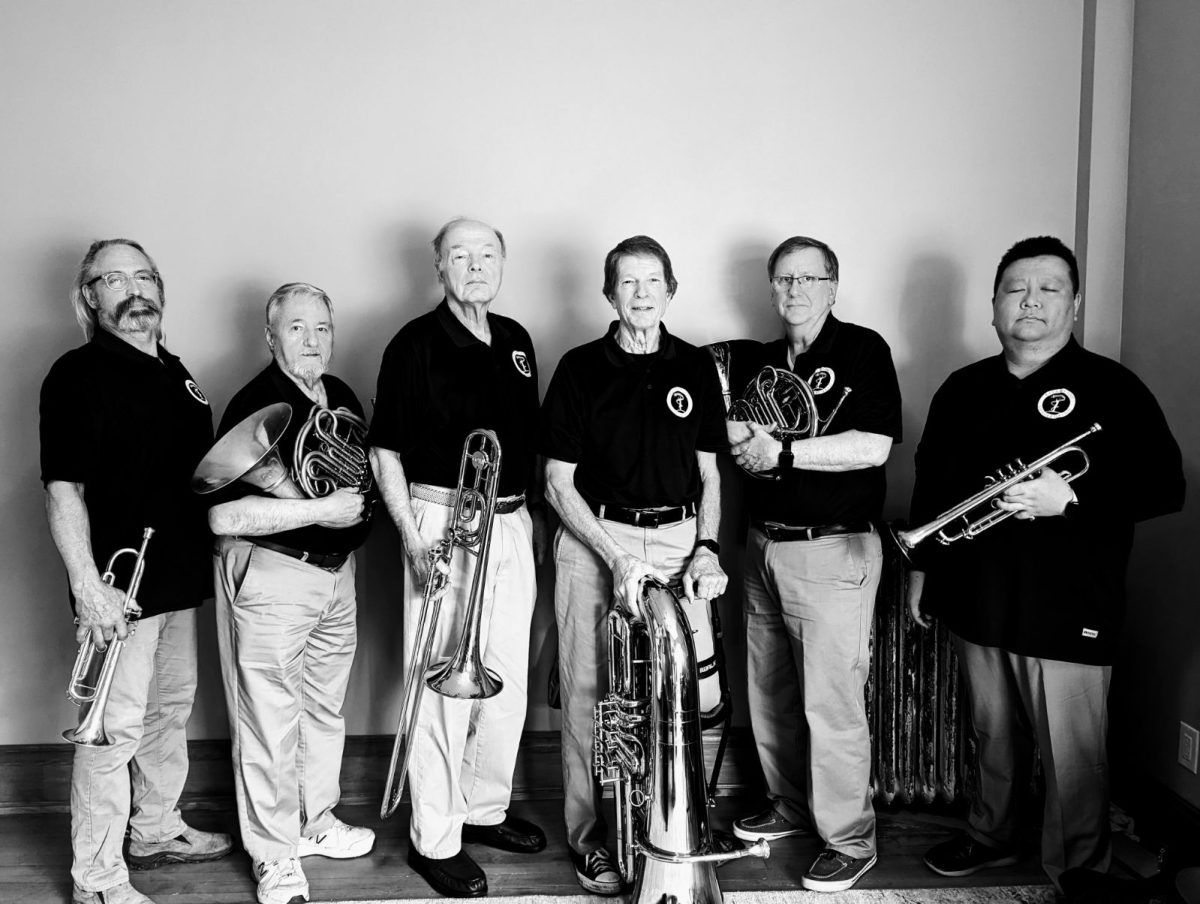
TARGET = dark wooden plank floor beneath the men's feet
x,y
35,860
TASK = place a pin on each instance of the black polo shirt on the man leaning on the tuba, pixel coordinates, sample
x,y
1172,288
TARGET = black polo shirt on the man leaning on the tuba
x,y
633,423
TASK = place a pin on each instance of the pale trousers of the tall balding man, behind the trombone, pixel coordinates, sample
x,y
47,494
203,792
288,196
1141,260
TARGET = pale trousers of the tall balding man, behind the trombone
x,y
465,751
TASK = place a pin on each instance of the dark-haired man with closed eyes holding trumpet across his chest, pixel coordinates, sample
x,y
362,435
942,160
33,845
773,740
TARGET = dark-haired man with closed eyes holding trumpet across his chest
x,y
1035,603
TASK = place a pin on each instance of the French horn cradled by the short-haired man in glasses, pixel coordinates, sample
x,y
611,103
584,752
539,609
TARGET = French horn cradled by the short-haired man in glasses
x,y
778,400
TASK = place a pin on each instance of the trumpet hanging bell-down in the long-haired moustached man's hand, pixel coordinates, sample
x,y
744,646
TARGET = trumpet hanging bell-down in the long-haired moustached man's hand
x,y
92,696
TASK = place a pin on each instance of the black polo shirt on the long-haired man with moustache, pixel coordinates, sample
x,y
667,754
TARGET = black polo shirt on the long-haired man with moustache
x,y
131,428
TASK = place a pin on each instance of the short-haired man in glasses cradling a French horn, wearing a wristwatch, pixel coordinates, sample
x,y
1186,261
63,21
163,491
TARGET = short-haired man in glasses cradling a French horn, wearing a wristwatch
x,y
813,567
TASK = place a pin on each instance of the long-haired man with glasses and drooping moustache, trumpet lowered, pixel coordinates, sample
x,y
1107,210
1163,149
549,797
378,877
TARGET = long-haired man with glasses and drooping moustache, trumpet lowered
x,y
123,424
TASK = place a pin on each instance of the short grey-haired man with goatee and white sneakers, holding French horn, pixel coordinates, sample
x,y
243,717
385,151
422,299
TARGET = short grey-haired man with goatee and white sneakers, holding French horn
x,y
286,616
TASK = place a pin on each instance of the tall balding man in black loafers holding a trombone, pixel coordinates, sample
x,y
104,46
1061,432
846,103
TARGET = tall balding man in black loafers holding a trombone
x,y
448,373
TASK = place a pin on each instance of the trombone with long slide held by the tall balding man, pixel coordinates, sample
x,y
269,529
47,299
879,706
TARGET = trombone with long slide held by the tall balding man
x,y
464,675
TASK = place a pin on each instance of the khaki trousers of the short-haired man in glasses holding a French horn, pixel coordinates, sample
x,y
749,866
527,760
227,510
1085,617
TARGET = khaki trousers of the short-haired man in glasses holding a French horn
x,y
809,609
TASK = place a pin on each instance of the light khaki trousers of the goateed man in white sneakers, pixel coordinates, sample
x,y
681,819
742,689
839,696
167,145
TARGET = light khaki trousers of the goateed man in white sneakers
x,y
287,634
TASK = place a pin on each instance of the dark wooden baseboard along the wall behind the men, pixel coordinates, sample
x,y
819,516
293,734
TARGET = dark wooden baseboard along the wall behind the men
x,y
37,779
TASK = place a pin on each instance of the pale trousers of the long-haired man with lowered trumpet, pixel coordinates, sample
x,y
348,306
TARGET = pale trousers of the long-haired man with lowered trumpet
x,y
147,763
